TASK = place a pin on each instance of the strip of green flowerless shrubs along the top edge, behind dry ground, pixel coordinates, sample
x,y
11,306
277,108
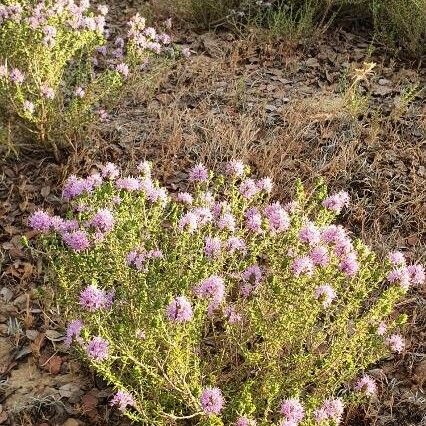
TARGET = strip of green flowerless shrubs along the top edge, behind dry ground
x,y
401,24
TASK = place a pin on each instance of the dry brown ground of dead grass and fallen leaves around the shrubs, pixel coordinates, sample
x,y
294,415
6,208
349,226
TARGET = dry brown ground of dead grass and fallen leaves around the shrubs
x,y
286,112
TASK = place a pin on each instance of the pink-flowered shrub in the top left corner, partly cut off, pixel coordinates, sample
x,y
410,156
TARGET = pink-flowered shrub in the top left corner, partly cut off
x,y
56,67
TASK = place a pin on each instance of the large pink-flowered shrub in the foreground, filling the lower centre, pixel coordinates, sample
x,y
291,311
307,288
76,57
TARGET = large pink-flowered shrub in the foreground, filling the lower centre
x,y
221,306
